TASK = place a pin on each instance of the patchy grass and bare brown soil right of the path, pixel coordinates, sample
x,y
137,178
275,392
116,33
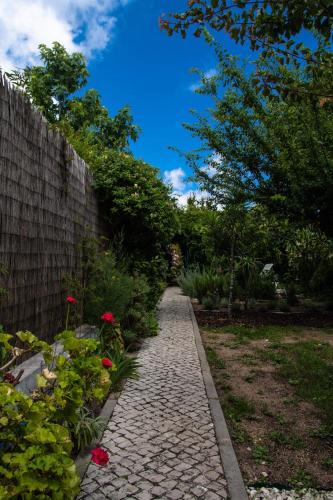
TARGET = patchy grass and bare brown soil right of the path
x,y
275,388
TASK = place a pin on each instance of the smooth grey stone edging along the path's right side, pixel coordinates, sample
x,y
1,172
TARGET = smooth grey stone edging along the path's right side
x,y
231,468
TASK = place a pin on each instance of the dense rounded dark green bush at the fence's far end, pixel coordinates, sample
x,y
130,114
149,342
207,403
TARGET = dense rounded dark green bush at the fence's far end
x,y
135,202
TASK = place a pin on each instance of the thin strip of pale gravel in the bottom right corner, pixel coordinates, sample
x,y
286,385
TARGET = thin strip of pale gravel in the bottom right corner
x,y
275,494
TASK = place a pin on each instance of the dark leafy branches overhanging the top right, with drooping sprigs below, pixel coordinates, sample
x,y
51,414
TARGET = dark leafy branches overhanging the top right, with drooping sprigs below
x,y
268,26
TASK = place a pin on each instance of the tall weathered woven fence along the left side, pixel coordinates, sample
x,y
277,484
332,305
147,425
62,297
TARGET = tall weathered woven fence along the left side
x,y
47,207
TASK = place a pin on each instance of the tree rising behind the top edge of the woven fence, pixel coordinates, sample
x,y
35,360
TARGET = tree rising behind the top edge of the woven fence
x,y
51,86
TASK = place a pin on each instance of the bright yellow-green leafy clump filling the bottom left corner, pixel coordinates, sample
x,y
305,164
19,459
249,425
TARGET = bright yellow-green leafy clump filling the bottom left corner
x,y
34,452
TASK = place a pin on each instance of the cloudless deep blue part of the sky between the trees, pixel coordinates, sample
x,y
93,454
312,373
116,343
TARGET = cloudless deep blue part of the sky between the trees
x,y
150,71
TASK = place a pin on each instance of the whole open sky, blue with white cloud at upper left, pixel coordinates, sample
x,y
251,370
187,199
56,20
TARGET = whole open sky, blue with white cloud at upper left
x,y
131,62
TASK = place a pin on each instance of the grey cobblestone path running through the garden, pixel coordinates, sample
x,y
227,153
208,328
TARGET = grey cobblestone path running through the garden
x,y
161,436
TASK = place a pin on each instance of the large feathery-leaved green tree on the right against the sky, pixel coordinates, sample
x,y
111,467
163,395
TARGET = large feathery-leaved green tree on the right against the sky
x,y
277,153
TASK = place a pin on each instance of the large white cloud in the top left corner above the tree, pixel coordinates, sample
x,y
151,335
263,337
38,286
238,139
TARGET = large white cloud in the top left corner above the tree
x,y
83,25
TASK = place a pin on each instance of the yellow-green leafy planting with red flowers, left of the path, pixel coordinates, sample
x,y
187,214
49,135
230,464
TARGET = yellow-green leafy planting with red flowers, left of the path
x,y
40,433
